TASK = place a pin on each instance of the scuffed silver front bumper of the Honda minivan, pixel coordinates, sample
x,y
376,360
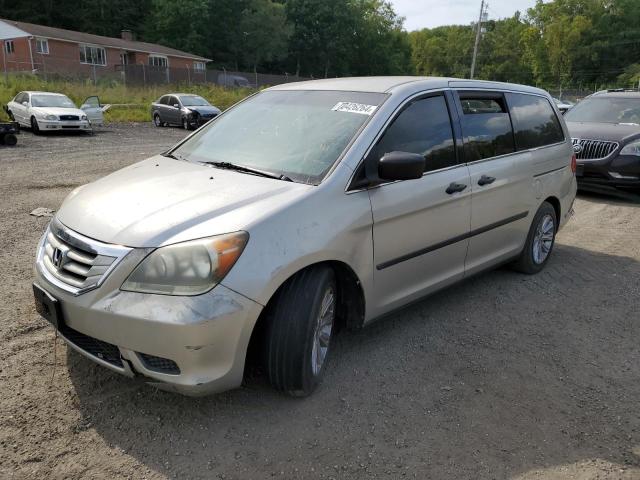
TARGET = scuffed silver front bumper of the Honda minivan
x,y
205,336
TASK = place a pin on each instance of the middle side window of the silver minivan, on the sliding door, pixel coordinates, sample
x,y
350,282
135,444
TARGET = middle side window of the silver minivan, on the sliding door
x,y
486,127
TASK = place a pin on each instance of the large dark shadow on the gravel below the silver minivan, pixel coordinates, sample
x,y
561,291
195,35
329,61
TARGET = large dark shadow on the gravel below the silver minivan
x,y
495,377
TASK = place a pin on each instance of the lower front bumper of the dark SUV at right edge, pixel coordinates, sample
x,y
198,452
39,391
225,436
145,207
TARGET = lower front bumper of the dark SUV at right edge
x,y
619,171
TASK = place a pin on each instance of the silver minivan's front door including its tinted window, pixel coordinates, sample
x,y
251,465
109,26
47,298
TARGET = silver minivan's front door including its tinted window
x,y
420,227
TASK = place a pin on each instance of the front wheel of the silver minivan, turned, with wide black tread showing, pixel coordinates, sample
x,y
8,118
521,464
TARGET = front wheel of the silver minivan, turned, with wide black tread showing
x,y
298,335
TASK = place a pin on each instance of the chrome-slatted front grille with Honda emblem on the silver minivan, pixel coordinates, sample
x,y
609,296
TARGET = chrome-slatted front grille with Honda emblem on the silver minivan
x,y
73,262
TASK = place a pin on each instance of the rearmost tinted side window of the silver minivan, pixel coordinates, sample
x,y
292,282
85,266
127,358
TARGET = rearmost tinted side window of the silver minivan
x,y
534,121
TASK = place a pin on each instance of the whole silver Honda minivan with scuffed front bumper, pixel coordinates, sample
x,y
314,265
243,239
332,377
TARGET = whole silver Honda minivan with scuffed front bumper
x,y
306,207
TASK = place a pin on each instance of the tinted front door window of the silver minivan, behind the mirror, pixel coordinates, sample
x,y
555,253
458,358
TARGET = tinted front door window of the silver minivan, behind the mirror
x,y
423,127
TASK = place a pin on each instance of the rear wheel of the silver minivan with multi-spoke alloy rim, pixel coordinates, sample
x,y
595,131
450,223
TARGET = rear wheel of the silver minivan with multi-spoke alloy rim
x,y
540,241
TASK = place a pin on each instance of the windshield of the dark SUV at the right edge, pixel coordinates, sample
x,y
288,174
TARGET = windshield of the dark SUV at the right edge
x,y
606,110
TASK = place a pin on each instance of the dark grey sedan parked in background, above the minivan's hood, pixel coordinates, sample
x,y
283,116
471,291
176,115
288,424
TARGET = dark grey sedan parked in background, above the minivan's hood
x,y
184,109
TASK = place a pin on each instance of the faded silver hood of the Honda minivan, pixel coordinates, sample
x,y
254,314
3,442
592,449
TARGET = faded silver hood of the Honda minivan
x,y
160,201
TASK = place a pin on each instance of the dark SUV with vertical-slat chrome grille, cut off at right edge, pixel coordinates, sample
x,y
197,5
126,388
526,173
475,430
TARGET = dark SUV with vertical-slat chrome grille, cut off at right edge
x,y
605,130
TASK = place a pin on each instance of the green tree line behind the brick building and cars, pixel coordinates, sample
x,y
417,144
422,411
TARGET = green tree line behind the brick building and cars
x,y
560,44
